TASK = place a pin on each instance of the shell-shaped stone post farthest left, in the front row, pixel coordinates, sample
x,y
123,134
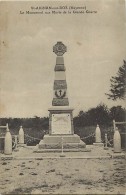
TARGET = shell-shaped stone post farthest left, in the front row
x,y
8,142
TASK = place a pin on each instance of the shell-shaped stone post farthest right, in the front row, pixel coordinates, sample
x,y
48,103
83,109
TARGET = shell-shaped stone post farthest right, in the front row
x,y
117,141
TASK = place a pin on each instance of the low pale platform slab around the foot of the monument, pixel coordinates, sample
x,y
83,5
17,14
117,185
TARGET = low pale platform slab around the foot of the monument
x,y
90,152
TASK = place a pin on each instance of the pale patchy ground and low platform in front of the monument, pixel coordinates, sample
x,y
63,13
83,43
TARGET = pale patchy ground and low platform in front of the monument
x,y
76,173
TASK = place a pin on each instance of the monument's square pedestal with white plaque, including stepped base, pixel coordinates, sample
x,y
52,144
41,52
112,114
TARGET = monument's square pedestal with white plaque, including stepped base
x,y
61,132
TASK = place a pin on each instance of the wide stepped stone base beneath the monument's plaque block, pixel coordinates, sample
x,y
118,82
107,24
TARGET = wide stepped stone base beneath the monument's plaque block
x,y
53,143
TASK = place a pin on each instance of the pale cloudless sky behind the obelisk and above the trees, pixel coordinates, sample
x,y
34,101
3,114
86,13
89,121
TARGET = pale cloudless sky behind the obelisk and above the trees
x,y
95,51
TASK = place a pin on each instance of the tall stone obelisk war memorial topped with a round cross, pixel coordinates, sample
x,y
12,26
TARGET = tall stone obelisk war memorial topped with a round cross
x,y
61,127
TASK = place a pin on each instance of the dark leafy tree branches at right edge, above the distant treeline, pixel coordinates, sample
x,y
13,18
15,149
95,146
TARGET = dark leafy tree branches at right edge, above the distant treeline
x,y
118,84
